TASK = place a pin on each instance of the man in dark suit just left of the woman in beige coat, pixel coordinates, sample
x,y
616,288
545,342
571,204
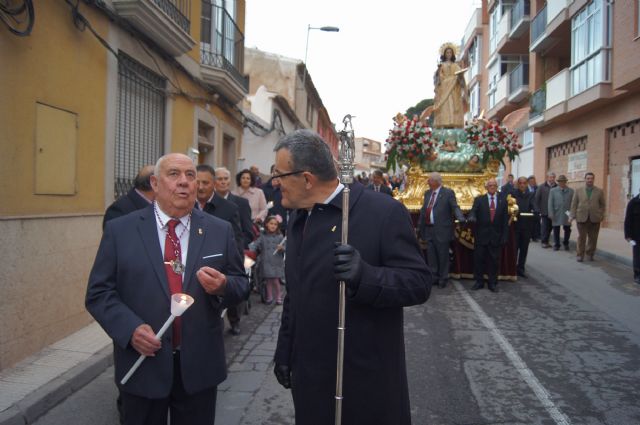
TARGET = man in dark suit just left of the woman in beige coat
x,y
222,189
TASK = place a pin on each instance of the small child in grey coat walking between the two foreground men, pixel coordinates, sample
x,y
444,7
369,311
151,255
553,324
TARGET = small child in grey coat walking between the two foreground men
x,y
270,246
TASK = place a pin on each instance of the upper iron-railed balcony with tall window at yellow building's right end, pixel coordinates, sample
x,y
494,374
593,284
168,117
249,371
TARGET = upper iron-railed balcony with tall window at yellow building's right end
x,y
222,42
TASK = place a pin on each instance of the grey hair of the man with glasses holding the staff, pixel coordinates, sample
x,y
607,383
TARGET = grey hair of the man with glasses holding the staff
x,y
309,153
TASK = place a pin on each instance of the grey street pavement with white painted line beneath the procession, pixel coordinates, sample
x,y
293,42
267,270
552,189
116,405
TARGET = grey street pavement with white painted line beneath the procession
x,y
560,347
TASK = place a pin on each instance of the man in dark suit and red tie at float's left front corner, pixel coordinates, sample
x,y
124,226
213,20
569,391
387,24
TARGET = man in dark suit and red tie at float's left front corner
x,y
435,225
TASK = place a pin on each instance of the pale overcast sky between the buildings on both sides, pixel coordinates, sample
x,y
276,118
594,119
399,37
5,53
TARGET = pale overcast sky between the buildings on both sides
x,y
381,62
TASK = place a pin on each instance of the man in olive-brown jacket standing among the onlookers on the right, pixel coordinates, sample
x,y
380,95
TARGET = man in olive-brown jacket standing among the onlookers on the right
x,y
587,208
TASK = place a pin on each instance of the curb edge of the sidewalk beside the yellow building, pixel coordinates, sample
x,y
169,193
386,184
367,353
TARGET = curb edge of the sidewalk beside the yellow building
x,y
40,401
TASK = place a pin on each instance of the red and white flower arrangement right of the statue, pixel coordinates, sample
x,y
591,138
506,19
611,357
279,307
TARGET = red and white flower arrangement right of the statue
x,y
492,140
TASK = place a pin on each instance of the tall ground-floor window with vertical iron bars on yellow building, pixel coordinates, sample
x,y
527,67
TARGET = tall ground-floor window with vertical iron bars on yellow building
x,y
140,121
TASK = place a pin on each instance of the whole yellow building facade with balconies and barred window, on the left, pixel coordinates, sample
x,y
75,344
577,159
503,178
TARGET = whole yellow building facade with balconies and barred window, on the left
x,y
98,90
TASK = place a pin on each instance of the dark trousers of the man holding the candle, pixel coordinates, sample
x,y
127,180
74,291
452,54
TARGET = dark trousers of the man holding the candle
x,y
183,408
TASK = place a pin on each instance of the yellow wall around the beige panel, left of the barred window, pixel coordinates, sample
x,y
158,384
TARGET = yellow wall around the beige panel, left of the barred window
x,y
59,66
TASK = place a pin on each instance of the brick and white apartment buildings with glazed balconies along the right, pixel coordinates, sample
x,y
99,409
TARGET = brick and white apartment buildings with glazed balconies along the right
x,y
573,66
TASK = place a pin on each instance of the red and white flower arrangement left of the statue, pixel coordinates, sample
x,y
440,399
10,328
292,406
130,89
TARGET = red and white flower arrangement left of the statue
x,y
410,141
